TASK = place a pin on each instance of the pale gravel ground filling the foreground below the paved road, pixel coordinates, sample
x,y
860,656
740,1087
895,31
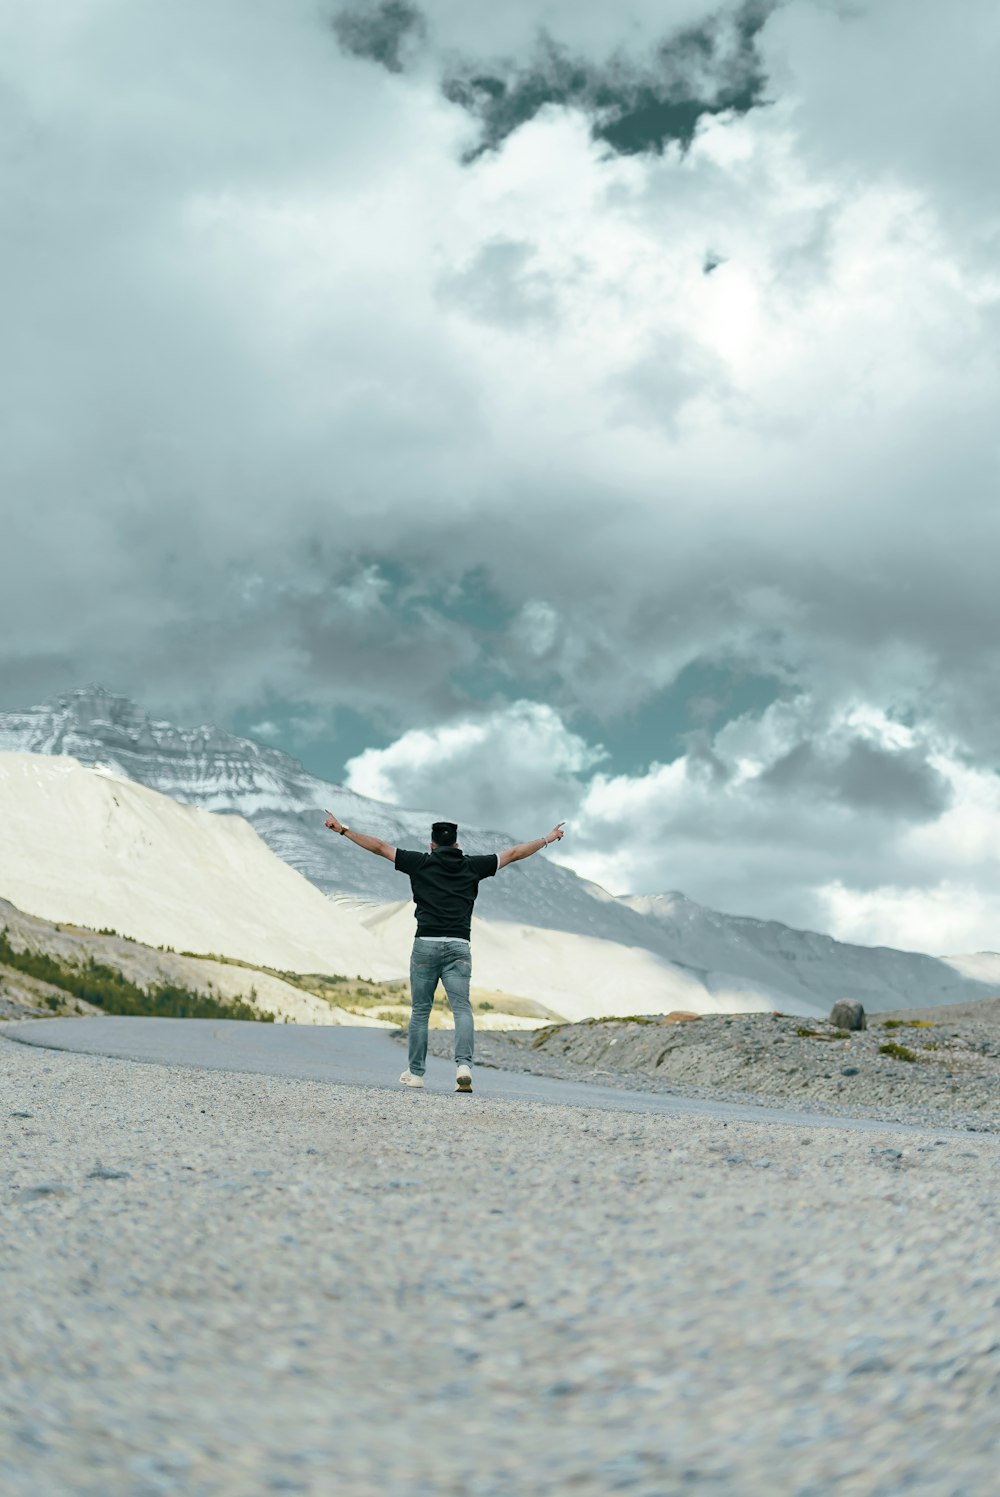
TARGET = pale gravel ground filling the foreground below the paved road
x,y
222,1284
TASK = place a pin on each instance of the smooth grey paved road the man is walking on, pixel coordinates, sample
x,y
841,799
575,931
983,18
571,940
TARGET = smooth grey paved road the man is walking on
x,y
366,1058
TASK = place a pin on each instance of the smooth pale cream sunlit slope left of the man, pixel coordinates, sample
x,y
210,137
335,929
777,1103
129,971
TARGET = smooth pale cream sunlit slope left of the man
x,y
88,848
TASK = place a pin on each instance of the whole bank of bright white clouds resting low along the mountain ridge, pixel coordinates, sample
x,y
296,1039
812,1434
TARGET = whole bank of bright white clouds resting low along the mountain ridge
x,y
879,836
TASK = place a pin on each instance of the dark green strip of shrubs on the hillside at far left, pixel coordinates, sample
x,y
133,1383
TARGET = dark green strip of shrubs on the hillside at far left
x,y
112,992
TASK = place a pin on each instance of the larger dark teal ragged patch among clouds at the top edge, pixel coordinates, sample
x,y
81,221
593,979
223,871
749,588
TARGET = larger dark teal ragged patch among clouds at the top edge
x,y
707,70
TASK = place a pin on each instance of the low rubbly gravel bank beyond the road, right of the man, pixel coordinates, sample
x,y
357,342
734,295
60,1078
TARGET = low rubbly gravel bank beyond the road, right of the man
x,y
942,1068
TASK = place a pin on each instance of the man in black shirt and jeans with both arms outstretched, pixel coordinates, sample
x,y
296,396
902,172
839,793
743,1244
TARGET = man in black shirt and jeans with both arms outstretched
x,y
445,884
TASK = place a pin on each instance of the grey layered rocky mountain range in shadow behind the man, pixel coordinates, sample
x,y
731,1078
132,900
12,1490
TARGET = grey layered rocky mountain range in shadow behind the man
x,y
721,960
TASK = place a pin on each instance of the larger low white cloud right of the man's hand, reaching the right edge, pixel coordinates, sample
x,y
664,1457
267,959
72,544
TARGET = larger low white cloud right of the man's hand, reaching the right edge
x,y
900,854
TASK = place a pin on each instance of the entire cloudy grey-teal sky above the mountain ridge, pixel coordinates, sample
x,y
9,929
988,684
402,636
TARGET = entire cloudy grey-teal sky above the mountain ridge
x,y
555,411
